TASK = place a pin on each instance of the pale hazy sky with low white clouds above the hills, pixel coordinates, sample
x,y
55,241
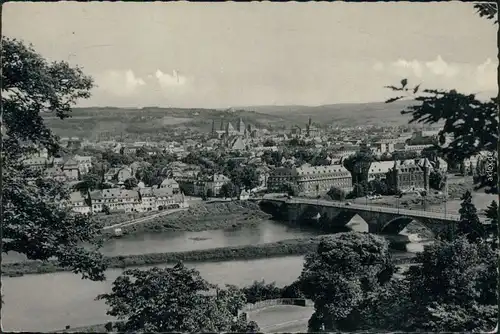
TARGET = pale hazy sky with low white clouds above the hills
x,y
218,55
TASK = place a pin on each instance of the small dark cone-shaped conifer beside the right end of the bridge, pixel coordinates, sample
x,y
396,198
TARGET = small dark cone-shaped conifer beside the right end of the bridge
x,y
469,224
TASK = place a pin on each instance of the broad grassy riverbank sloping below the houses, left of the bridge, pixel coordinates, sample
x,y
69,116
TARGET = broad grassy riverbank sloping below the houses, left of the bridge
x,y
203,217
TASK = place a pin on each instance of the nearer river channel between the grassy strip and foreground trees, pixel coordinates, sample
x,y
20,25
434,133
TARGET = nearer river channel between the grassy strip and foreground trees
x,y
52,301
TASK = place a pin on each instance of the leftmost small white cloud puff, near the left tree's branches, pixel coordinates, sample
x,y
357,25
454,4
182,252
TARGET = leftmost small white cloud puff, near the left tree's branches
x,y
121,83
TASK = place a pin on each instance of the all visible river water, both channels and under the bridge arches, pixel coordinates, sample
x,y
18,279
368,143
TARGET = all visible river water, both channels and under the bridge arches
x,y
52,301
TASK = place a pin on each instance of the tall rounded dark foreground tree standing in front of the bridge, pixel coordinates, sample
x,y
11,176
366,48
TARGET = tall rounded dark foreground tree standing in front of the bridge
x,y
339,274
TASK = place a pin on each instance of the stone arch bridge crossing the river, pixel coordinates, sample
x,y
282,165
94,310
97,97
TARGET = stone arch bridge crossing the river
x,y
338,214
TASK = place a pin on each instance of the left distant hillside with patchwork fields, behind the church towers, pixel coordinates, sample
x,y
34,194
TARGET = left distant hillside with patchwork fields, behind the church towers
x,y
154,122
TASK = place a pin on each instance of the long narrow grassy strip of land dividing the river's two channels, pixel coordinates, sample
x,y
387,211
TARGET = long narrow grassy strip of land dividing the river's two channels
x,y
300,246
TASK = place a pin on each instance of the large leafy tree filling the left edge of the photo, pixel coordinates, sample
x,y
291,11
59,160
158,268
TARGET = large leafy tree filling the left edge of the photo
x,y
34,221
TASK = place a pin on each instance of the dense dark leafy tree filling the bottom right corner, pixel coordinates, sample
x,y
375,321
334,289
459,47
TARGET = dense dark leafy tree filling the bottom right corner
x,y
454,288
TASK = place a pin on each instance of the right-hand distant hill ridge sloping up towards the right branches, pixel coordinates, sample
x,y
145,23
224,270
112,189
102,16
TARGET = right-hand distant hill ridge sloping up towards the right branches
x,y
347,114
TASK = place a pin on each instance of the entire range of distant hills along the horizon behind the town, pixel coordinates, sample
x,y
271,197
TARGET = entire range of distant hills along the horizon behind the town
x,y
156,122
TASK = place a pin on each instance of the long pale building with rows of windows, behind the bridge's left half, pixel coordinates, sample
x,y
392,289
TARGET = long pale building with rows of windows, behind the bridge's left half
x,y
311,180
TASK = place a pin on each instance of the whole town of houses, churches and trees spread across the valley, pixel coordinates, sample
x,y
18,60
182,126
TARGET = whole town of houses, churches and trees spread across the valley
x,y
238,162
